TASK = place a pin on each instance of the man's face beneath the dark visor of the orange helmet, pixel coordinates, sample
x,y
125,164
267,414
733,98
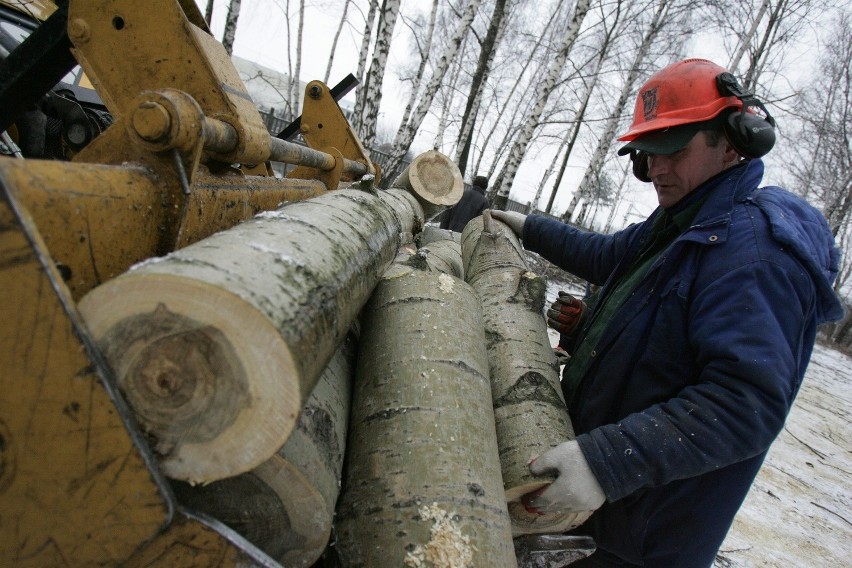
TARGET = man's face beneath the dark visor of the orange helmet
x,y
675,175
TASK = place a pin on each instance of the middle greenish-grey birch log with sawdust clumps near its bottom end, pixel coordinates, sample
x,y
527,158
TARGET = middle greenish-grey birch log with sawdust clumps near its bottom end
x,y
422,483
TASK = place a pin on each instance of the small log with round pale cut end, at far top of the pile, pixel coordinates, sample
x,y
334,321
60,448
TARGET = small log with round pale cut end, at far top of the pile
x,y
434,179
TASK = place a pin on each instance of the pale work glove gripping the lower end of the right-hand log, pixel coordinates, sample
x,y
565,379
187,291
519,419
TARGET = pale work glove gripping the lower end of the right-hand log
x,y
576,489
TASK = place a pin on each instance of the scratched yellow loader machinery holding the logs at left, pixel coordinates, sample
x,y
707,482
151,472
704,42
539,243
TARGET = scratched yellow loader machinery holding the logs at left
x,y
186,155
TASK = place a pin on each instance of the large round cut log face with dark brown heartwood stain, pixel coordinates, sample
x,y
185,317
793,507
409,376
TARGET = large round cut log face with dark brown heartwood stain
x,y
216,391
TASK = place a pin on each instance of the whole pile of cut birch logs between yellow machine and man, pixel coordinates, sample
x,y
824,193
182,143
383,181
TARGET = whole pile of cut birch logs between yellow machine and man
x,y
239,357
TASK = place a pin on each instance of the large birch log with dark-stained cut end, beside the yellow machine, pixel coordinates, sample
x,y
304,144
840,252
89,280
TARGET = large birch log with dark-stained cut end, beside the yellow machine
x,y
218,345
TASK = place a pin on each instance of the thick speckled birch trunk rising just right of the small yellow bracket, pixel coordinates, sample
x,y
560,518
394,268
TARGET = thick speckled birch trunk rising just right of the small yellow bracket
x,y
369,98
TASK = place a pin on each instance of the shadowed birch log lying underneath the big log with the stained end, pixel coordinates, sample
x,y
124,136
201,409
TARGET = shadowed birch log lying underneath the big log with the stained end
x,y
285,506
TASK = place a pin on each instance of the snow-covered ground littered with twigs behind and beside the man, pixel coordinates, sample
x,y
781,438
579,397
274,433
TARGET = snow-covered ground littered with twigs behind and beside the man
x,y
799,510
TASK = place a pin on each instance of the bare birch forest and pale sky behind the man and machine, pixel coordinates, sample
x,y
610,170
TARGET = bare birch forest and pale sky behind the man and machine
x,y
533,94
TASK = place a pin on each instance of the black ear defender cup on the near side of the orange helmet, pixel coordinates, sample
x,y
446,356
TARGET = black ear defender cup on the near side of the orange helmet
x,y
751,135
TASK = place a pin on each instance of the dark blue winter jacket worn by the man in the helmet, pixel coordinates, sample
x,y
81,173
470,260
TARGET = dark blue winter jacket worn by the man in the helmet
x,y
695,374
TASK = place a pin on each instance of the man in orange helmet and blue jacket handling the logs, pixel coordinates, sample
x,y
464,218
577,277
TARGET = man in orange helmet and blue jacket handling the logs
x,y
690,358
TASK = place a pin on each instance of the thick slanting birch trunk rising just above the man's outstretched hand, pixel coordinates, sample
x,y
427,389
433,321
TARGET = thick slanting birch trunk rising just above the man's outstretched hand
x,y
543,94
